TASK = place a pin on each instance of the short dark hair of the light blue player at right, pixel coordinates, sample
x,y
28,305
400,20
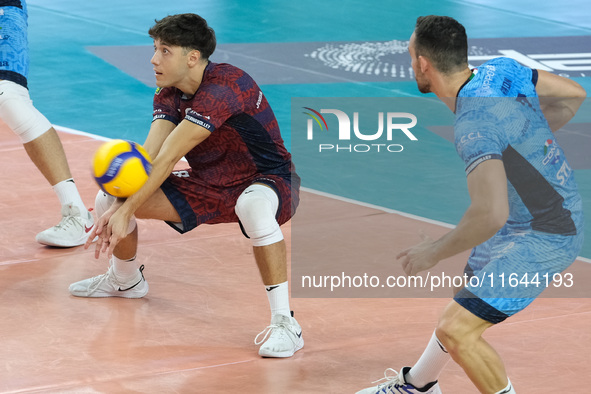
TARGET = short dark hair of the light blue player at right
x,y
443,41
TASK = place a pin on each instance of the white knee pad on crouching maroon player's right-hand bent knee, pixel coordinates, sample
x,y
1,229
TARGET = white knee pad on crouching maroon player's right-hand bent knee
x,y
256,208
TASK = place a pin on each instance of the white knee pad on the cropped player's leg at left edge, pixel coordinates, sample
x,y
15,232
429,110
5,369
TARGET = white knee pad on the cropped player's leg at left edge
x,y
18,112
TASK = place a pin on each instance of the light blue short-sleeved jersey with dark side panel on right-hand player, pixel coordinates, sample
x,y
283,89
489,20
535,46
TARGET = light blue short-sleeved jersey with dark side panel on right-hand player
x,y
498,116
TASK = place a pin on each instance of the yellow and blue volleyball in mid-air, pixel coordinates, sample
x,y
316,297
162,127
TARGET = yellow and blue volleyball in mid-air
x,y
121,167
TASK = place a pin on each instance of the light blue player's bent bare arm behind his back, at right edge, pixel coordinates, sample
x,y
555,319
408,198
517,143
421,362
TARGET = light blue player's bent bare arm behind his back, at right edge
x,y
560,98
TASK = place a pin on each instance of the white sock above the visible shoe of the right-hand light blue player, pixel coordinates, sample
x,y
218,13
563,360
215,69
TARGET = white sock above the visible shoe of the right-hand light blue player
x,y
430,365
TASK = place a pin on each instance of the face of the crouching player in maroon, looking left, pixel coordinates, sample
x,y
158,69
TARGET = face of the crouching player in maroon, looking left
x,y
170,64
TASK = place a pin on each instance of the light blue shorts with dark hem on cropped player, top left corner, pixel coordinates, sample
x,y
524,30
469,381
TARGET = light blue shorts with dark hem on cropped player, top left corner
x,y
14,50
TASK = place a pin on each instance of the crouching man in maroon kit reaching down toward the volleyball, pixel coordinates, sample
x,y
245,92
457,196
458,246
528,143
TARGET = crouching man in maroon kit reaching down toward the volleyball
x,y
217,117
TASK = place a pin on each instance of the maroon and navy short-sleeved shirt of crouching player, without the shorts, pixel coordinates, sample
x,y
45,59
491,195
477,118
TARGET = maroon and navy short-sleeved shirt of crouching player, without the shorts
x,y
245,141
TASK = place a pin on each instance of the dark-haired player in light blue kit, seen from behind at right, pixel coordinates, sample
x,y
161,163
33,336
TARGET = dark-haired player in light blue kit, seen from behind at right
x,y
525,218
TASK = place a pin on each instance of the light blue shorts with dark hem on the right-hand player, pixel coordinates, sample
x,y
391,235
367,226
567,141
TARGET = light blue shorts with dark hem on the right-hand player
x,y
511,269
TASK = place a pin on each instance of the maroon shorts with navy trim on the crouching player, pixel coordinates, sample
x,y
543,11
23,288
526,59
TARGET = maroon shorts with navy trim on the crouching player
x,y
198,203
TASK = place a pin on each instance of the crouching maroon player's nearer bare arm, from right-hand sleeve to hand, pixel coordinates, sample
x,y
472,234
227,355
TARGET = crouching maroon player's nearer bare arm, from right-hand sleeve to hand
x,y
181,140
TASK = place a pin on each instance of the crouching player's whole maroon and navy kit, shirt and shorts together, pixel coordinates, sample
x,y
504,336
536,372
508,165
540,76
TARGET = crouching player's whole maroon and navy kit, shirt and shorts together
x,y
245,147
